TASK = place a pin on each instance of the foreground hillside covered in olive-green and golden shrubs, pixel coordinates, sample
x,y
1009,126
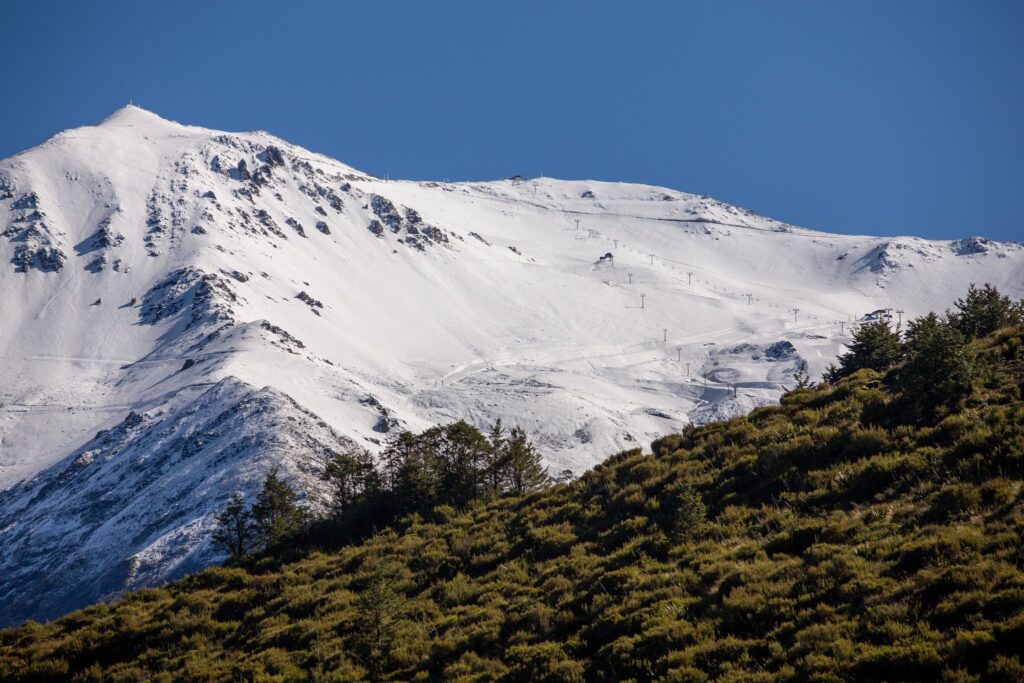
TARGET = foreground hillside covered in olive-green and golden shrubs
x,y
839,545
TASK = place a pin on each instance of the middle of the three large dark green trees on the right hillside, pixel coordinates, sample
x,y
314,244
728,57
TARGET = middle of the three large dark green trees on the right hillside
x,y
938,371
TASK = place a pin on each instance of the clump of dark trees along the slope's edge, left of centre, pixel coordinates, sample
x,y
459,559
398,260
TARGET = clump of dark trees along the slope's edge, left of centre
x,y
452,465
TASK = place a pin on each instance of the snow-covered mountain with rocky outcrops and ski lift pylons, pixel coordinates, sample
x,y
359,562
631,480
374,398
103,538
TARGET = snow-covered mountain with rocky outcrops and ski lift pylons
x,y
184,309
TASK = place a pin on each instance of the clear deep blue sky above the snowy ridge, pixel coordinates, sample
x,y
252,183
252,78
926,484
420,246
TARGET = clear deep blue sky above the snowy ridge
x,y
892,117
